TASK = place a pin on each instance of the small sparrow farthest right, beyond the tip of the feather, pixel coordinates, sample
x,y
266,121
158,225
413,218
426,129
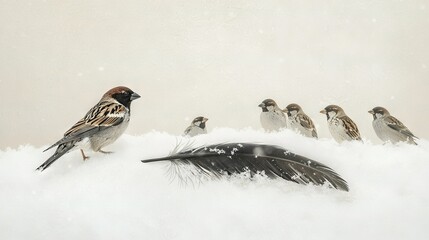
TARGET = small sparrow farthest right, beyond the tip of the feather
x,y
388,128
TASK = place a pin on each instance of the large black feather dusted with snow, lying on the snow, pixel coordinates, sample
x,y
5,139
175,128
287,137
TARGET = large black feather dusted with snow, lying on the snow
x,y
274,161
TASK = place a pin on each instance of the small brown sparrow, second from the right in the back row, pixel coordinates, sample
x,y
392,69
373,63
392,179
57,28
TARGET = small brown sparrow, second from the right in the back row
x,y
342,128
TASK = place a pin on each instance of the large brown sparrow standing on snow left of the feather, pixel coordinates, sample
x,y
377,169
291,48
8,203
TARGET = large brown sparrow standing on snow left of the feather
x,y
101,126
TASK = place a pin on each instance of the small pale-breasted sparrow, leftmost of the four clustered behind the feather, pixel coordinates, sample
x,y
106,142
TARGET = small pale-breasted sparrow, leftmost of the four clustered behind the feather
x,y
272,117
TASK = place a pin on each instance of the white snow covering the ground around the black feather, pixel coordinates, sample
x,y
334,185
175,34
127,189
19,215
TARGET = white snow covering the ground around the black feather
x,y
116,196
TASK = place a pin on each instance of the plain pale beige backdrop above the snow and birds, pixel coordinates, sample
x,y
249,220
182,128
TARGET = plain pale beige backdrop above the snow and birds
x,y
215,58
